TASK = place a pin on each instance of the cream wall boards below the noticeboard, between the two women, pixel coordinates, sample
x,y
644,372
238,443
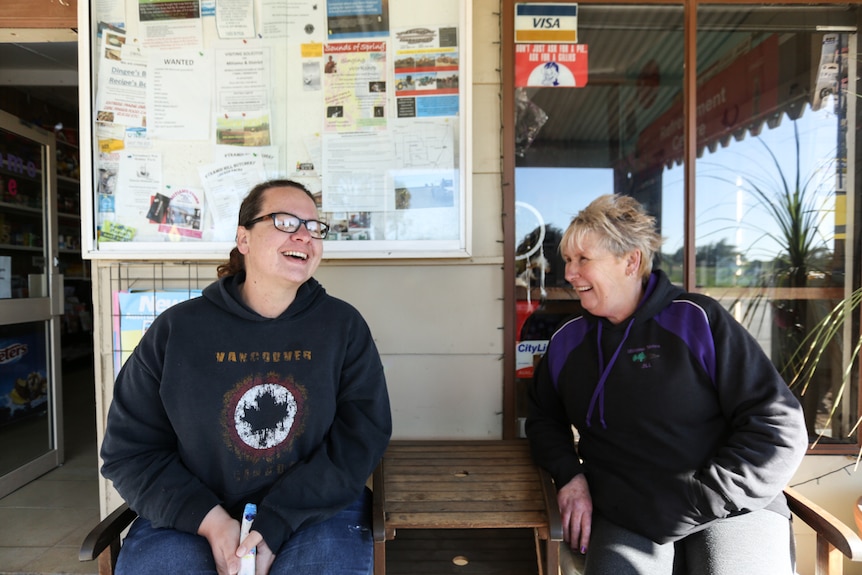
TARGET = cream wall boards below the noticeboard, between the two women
x,y
437,329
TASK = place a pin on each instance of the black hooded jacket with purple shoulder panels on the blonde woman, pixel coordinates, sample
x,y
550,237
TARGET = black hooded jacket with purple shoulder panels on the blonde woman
x,y
682,418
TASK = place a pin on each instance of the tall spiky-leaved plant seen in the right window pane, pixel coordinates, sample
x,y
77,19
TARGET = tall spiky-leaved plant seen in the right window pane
x,y
796,208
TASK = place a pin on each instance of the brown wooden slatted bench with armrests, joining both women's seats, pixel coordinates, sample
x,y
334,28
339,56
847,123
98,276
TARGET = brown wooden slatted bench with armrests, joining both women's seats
x,y
467,499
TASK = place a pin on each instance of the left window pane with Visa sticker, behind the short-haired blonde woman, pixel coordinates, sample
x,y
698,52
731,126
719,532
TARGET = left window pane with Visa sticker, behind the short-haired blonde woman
x,y
578,138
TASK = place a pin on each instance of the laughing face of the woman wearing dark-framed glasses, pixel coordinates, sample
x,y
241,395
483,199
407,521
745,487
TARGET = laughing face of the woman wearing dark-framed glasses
x,y
275,259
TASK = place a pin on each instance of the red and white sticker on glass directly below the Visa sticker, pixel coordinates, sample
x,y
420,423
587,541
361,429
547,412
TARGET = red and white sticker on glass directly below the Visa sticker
x,y
551,65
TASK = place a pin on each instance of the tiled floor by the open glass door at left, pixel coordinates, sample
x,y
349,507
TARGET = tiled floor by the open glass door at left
x,y
43,523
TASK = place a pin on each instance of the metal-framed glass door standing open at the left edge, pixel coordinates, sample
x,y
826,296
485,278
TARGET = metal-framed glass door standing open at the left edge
x,y
30,306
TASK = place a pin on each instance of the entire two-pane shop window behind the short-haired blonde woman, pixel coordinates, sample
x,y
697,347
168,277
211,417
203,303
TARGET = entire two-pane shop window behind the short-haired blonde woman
x,y
774,125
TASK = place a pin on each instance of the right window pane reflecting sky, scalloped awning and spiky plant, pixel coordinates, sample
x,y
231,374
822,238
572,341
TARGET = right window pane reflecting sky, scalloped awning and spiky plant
x,y
770,194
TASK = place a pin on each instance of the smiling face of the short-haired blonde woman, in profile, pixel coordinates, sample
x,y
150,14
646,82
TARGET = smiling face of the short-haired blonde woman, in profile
x,y
607,285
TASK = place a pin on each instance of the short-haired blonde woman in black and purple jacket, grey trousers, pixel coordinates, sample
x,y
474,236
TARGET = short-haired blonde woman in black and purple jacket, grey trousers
x,y
688,434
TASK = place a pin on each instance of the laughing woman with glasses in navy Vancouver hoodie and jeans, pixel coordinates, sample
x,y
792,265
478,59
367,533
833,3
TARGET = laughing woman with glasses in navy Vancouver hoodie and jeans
x,y
265,390
